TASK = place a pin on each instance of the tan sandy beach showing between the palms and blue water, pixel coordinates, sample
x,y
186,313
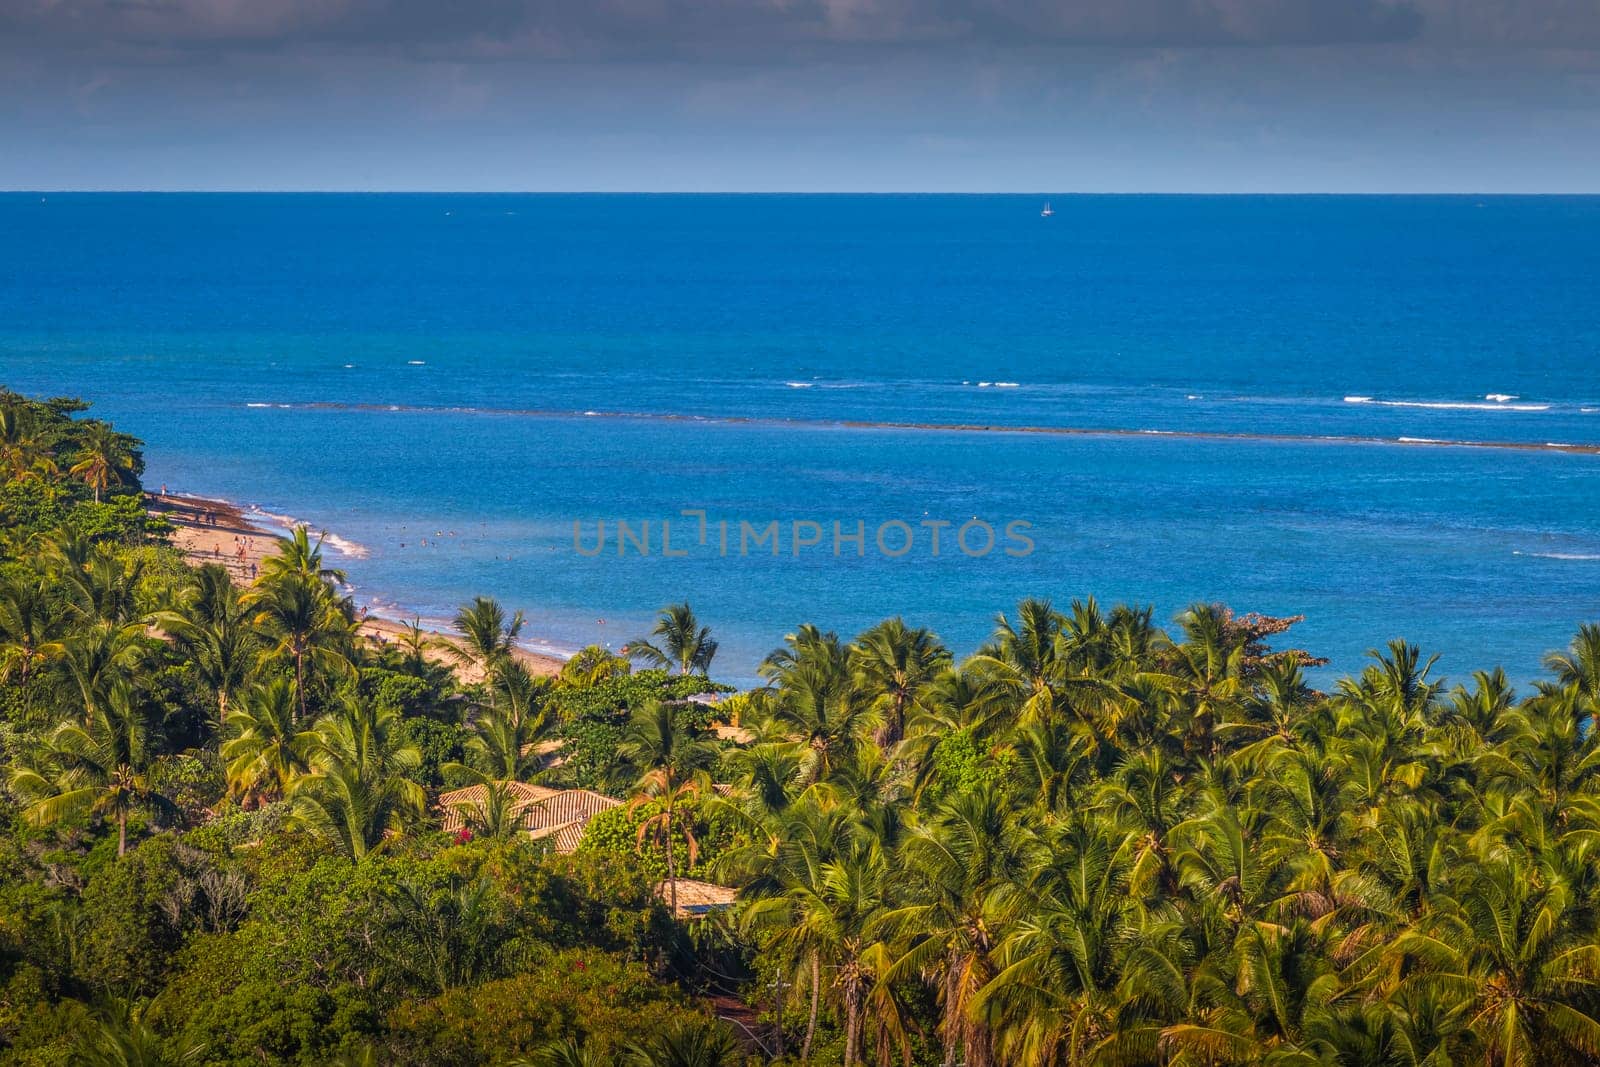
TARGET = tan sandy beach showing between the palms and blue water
x,y
217,532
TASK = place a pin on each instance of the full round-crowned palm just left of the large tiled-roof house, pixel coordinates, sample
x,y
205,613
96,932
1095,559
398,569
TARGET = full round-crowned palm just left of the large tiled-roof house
x,y
359,791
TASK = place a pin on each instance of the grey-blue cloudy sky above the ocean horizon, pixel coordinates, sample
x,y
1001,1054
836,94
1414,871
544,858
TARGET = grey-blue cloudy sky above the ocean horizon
x,y
802,95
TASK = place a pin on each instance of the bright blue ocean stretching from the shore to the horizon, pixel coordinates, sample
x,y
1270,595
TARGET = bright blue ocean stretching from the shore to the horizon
x,y
1382,414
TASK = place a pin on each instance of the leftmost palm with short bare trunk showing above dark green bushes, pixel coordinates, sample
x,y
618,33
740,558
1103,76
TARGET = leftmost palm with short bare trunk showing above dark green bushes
x,y
97,769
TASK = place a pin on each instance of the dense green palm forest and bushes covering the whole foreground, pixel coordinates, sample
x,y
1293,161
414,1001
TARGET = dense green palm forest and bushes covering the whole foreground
x,y
1094,842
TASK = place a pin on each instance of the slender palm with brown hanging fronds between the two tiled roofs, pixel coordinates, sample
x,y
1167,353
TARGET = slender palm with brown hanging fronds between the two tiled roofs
x,y
673,767
